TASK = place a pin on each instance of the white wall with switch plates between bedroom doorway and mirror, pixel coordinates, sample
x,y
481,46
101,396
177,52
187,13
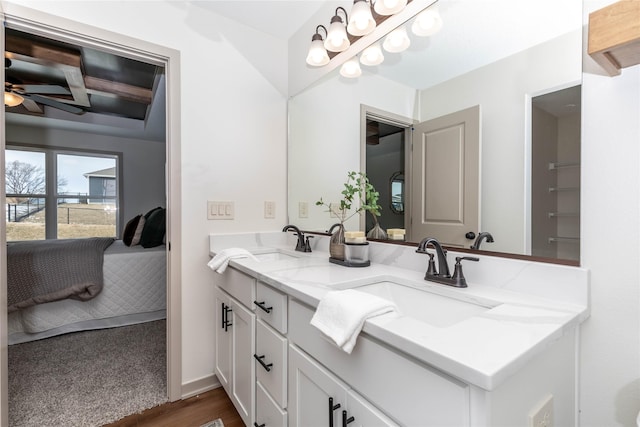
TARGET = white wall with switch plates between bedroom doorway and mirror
x,y
233,141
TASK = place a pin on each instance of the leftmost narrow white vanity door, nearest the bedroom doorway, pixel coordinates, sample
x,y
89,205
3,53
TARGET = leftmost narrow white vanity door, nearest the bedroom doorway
x,y
222,339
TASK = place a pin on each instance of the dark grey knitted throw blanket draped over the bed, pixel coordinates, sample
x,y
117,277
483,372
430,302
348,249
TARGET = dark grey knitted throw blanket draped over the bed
x,y
51,270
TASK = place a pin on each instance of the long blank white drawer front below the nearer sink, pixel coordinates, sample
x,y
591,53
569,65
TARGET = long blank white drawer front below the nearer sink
x,y
385,377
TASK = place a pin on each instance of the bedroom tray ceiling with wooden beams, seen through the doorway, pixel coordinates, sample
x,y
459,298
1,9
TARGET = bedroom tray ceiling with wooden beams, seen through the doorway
x,y
67,86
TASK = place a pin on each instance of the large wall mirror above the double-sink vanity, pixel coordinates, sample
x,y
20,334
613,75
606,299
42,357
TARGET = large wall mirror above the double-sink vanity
x,y
516,67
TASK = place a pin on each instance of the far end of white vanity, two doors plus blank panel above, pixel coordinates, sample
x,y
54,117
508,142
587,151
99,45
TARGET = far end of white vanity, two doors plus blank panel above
x,y
235,341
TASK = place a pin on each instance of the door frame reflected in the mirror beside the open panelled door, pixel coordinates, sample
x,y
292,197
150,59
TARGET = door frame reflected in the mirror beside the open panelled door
x,y
407,123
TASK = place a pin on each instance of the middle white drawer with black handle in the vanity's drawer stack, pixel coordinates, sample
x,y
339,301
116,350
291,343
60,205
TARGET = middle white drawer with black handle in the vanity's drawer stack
x,y
271,349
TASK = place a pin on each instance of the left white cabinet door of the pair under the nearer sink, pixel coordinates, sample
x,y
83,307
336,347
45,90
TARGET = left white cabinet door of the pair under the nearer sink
x,y
310,389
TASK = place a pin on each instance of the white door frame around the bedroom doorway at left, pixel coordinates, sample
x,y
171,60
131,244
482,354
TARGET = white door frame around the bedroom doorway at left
x,y
63,29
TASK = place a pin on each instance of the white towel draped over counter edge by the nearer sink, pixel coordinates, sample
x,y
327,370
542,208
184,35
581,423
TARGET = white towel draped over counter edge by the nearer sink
x,y
341,315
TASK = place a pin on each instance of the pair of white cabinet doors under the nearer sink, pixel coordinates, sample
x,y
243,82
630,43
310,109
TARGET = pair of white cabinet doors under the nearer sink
x,y
319,399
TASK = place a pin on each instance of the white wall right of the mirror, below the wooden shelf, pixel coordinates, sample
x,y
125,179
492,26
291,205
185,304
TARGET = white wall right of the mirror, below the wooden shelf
x,y
610,244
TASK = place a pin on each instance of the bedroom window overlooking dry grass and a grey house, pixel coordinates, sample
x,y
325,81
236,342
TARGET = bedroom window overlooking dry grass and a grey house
x,y
82,187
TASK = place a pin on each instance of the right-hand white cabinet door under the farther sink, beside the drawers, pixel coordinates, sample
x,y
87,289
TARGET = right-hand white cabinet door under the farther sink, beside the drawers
x,y
243,368
